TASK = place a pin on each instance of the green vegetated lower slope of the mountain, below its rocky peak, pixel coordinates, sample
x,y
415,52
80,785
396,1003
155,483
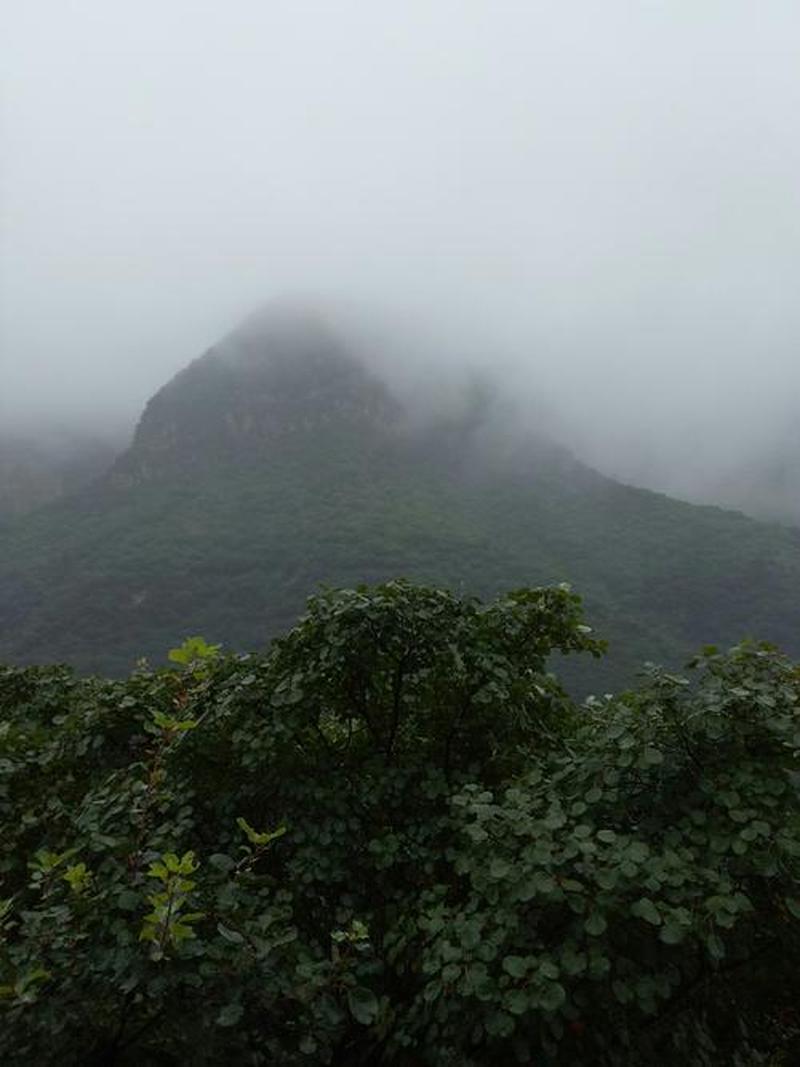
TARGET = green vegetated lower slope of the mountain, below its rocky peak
x,y
117,574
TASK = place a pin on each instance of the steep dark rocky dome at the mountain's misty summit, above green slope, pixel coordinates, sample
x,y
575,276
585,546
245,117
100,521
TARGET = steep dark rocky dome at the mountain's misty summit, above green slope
x,y
280,375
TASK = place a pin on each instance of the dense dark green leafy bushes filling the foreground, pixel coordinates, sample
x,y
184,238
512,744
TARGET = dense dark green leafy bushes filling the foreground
x,y
394,839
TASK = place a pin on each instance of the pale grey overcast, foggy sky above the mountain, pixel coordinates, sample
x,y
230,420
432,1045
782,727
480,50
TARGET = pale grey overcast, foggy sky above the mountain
x,y
605,193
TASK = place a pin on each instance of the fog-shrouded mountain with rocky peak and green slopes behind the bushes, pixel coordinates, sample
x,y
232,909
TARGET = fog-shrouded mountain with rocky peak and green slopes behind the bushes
x,y
278,461
